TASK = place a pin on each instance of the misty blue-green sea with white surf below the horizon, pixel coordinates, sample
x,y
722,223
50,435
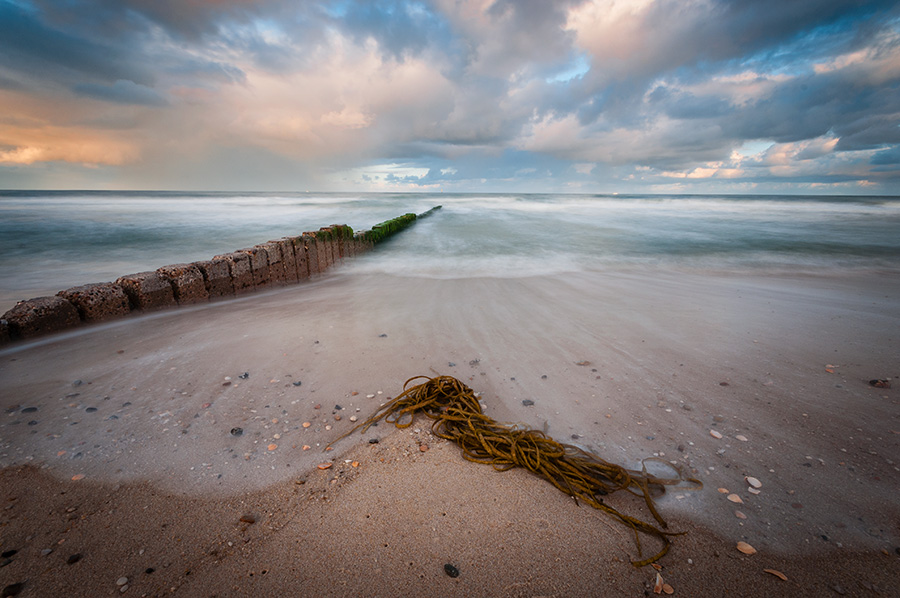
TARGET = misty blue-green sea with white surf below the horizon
x,y
50,241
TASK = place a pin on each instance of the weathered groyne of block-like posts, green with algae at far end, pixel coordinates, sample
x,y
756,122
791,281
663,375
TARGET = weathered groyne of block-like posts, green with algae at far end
x,y
285,261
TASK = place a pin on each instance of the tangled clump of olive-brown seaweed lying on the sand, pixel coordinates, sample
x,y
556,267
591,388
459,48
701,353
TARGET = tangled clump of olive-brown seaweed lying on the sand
x,y
458,417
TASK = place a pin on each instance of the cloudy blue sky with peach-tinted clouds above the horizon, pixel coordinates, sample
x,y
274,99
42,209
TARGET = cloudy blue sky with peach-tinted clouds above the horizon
x,y
593,96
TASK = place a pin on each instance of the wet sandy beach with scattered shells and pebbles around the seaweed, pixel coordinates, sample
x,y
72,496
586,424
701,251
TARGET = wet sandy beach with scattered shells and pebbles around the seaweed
x,y
117,440
